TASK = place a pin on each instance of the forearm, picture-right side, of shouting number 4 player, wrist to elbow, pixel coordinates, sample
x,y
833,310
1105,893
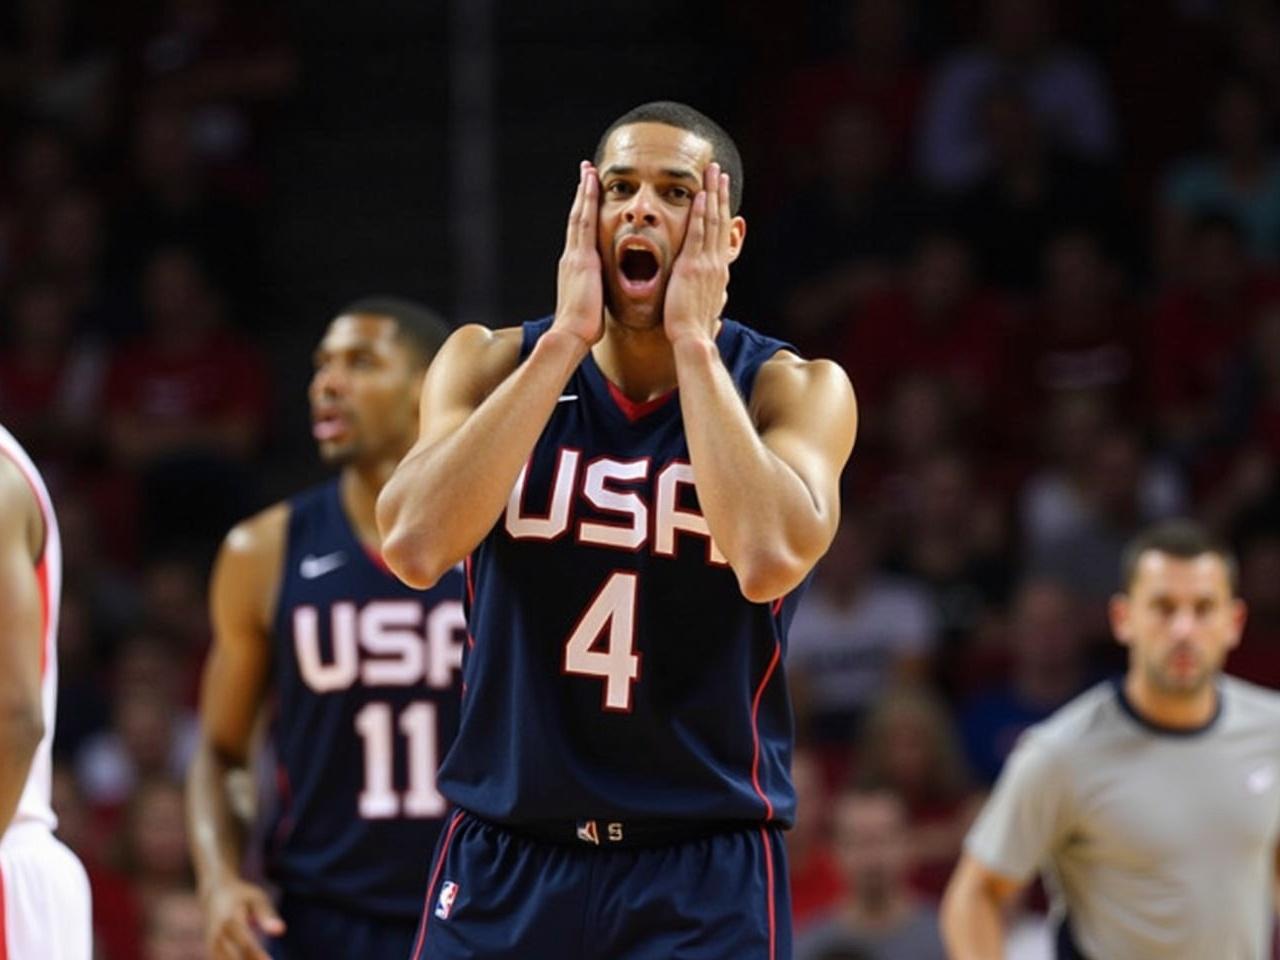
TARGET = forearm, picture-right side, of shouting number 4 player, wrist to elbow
x,y
761,514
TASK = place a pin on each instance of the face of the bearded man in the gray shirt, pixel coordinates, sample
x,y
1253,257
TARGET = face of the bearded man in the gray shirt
x,y
1180,621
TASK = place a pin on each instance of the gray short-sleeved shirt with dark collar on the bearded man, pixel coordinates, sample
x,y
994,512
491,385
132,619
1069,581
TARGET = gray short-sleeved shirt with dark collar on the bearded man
x,y
1155,844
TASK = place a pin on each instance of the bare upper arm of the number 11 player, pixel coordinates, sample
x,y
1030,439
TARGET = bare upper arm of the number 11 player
x,y
241,597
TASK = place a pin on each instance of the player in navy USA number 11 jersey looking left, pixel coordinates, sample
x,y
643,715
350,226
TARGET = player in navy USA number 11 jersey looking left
x,y
360,669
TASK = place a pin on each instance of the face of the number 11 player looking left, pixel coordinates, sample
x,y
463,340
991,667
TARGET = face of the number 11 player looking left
x,y
364,392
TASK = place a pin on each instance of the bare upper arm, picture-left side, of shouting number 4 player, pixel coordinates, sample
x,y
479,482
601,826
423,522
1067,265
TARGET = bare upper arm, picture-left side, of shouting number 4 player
x,y
468,369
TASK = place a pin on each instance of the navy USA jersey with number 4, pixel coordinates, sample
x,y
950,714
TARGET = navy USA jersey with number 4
x,y
614,668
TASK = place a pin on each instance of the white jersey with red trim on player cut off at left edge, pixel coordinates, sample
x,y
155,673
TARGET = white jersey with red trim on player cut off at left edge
x,y
34,807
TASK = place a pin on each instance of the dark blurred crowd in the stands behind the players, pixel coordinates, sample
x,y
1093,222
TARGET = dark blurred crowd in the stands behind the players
x,y
1046,252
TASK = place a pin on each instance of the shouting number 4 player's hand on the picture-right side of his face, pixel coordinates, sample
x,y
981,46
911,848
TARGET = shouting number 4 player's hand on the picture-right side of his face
x,y
700,277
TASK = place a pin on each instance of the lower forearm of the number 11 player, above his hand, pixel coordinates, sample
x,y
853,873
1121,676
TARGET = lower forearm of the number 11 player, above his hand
x,y
217,834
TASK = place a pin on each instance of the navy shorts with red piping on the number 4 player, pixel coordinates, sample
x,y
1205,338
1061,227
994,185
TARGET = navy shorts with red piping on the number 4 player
x,y
609,892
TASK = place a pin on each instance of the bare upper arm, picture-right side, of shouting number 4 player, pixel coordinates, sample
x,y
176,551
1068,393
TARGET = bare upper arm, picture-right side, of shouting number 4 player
x,y
808,418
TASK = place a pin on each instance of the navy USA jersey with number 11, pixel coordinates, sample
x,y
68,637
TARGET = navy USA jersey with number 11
x,y
367,678
